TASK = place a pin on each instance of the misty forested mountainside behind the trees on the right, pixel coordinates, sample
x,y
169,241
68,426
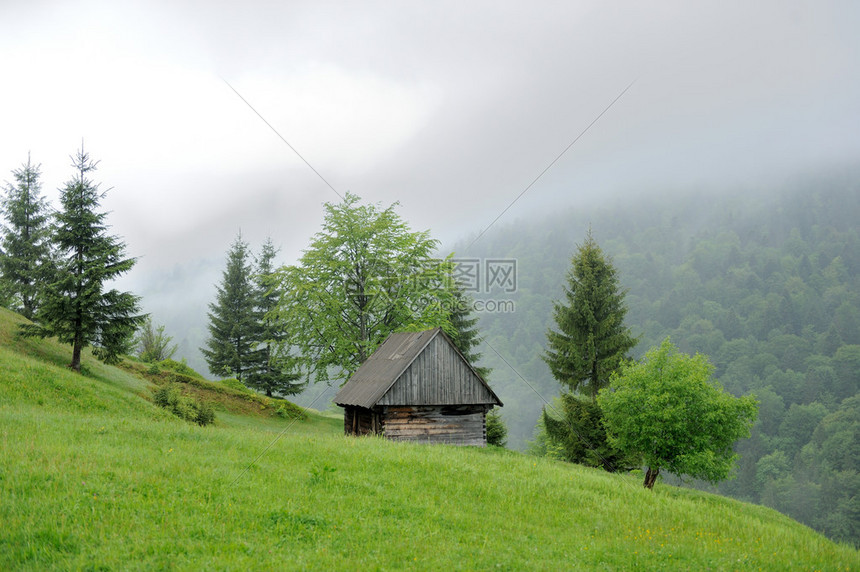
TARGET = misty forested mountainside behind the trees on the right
x,y
764,283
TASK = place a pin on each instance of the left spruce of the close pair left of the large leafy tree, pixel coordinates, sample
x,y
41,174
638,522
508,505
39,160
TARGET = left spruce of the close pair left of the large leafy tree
x,y
233,323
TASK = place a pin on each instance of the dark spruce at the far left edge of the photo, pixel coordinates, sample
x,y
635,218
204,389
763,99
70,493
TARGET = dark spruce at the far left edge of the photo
x,y
25,249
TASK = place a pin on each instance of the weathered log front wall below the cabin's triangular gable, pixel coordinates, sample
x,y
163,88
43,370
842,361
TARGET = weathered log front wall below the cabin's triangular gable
x,y
455,425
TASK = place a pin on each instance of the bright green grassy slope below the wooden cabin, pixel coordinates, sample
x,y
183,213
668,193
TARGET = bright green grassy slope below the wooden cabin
x,y
94,477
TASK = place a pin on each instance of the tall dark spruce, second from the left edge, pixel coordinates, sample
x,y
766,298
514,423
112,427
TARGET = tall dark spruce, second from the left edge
x,y
76,308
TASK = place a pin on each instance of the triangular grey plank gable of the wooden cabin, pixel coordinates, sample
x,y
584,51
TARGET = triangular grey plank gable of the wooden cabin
x,y
437,376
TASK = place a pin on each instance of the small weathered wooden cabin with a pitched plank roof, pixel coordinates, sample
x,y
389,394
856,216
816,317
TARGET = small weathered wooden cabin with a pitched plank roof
x,y
417,386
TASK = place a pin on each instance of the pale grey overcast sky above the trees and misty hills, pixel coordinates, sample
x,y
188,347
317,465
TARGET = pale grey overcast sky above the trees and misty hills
x,y
451,108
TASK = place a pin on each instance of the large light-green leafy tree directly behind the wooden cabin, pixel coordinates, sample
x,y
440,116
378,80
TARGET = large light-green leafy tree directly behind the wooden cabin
x,y
364,276
